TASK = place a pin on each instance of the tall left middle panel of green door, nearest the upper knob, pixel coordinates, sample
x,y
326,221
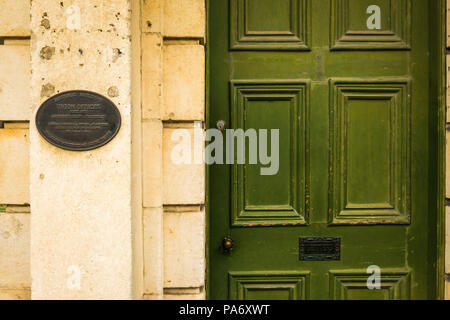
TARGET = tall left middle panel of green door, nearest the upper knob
x,y
271,105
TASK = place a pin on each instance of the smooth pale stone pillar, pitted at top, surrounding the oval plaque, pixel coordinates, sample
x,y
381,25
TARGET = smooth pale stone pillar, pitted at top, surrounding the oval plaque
x,y
81,235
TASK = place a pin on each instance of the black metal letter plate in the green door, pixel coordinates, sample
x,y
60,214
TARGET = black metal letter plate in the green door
x,y
319,248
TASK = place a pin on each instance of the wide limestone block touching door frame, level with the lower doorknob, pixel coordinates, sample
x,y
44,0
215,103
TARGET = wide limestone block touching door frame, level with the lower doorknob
x,y
184,249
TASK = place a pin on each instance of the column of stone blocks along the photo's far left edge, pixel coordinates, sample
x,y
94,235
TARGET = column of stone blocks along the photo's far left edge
x,y
15,109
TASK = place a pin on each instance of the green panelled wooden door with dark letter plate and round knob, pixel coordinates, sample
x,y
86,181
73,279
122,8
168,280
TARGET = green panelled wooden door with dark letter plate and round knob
x,y
346,82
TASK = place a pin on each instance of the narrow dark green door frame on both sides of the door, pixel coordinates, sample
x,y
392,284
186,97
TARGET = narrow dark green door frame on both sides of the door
x,y
438,49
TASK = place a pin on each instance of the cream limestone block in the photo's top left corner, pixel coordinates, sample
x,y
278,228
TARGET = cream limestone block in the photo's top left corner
x,y
15,18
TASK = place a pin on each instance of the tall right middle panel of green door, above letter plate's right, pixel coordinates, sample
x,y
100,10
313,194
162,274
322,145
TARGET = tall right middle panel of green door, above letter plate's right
x,y
370,174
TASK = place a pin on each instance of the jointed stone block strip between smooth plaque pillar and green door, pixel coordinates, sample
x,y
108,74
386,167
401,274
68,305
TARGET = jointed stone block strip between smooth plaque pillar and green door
x,y
173,97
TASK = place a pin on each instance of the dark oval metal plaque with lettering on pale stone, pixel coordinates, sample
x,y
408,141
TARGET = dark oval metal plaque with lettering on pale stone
x,y
78,120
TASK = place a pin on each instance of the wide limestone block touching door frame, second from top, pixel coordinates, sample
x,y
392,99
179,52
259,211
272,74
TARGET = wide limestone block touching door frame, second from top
x,y
184,82
